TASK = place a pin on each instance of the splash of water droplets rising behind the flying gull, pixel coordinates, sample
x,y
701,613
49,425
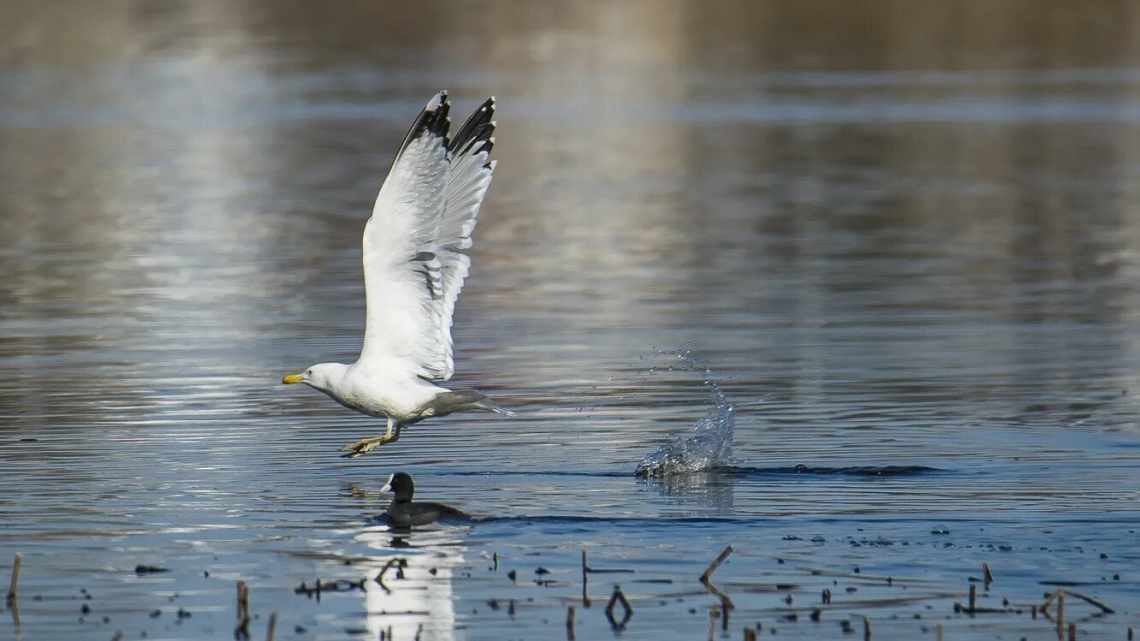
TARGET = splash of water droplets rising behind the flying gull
x,y
709,445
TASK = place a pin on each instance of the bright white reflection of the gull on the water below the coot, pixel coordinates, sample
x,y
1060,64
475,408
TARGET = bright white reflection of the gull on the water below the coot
x,y
413,596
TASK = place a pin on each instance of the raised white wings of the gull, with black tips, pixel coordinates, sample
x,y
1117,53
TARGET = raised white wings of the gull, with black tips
x,y
414,261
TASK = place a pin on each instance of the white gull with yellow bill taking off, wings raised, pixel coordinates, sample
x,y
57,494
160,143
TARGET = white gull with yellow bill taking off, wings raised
x,y
414,267
